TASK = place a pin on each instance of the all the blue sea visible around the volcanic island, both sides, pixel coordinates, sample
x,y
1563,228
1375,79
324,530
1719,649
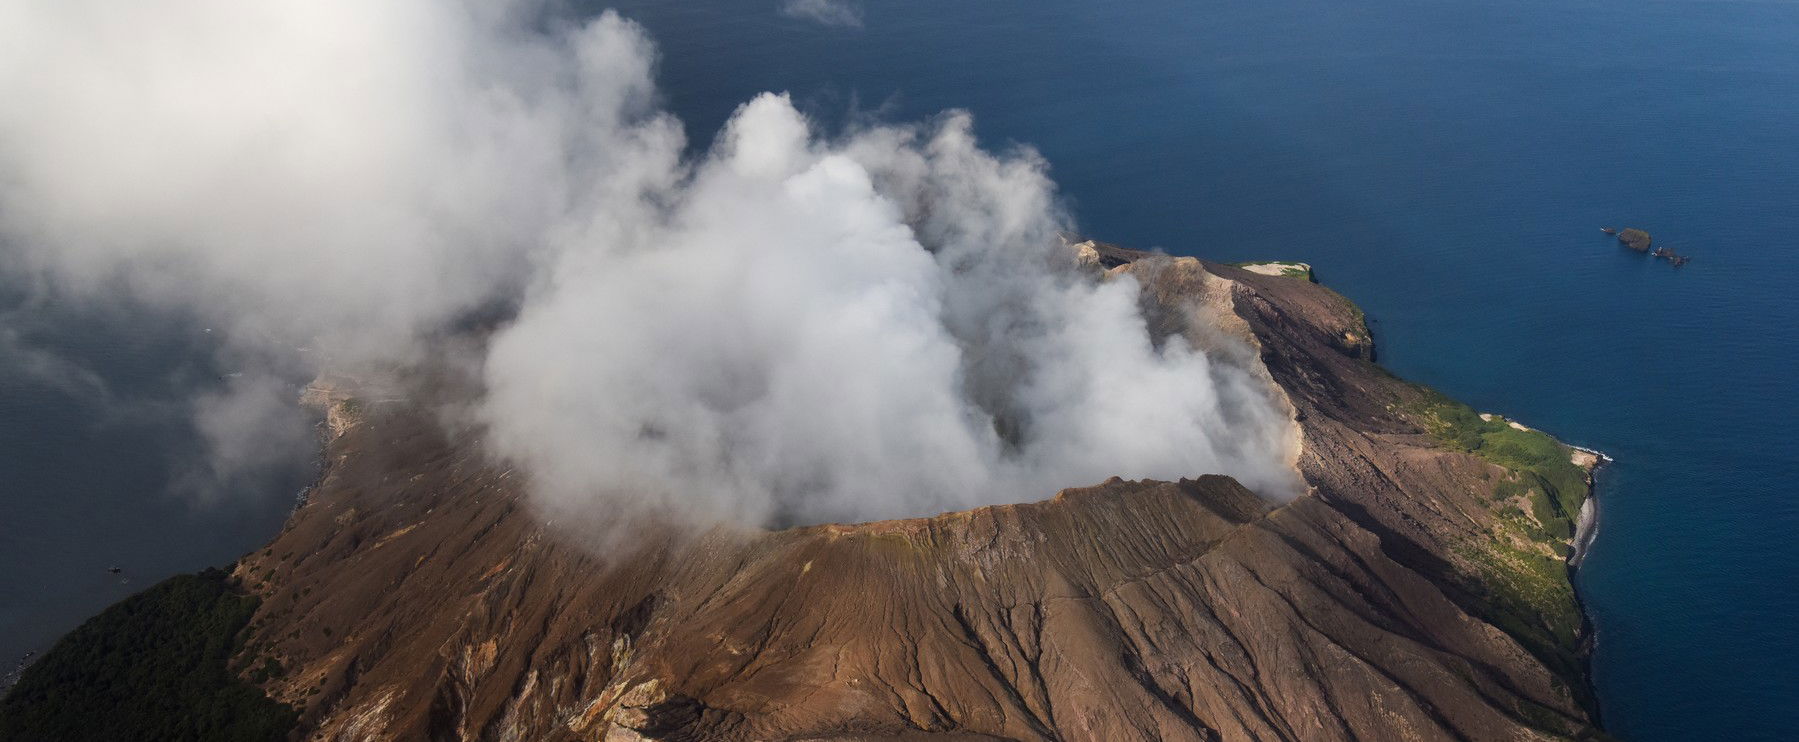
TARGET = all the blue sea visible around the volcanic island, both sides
x,y
1445,165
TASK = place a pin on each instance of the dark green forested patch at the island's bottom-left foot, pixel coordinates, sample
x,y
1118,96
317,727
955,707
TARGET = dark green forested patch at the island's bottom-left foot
x,y
154,667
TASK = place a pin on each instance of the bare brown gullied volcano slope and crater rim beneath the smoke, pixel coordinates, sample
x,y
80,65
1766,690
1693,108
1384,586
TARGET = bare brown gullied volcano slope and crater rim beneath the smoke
x,y
418,597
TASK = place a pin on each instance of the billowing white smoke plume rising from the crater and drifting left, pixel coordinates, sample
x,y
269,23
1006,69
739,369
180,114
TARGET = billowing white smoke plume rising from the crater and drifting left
x,y
783,329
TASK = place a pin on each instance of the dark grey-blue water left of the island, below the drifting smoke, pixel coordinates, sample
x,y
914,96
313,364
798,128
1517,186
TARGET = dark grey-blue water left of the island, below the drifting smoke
x,y
98,460
